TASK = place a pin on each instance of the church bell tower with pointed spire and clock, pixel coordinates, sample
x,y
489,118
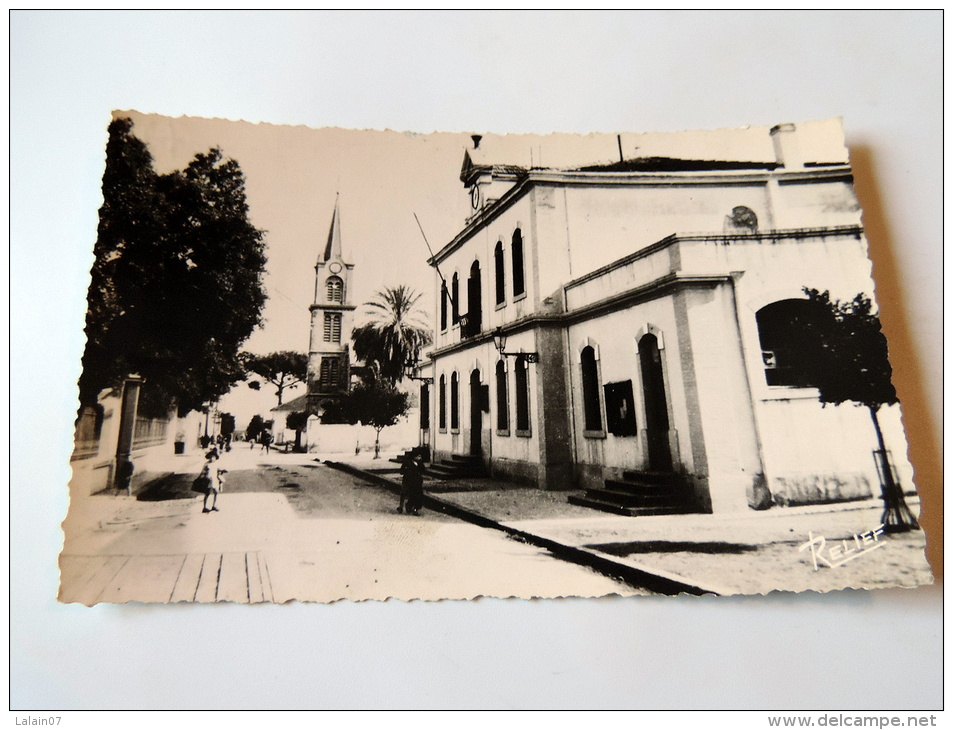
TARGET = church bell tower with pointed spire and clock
x,y
329,358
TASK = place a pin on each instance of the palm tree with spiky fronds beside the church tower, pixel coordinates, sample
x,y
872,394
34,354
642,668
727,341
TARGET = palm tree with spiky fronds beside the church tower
x,y
396,332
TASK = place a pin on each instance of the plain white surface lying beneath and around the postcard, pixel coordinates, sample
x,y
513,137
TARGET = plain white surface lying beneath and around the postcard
x,y
512,72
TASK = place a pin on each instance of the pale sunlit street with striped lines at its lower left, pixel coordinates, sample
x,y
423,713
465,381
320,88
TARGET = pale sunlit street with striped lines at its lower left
x,y
290,528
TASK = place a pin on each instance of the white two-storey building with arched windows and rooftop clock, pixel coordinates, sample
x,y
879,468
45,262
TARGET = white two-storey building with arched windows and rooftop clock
x,y
656,294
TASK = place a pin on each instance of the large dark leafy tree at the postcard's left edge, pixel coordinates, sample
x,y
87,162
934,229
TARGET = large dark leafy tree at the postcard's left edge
x,y
176,284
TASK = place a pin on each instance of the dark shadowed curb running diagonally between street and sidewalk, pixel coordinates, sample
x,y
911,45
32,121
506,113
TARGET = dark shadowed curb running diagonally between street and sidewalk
x,y
636,576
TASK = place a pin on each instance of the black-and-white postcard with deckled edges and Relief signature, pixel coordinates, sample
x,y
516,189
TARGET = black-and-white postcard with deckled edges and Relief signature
x,y
329,364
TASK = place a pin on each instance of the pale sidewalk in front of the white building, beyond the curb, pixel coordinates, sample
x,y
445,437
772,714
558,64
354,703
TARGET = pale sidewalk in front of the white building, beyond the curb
x,y
747,552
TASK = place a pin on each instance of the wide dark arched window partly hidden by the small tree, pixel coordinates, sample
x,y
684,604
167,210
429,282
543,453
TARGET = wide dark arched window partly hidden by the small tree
x,y
789,344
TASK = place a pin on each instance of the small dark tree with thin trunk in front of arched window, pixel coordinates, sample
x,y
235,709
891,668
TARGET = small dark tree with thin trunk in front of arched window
x,y
851,365
